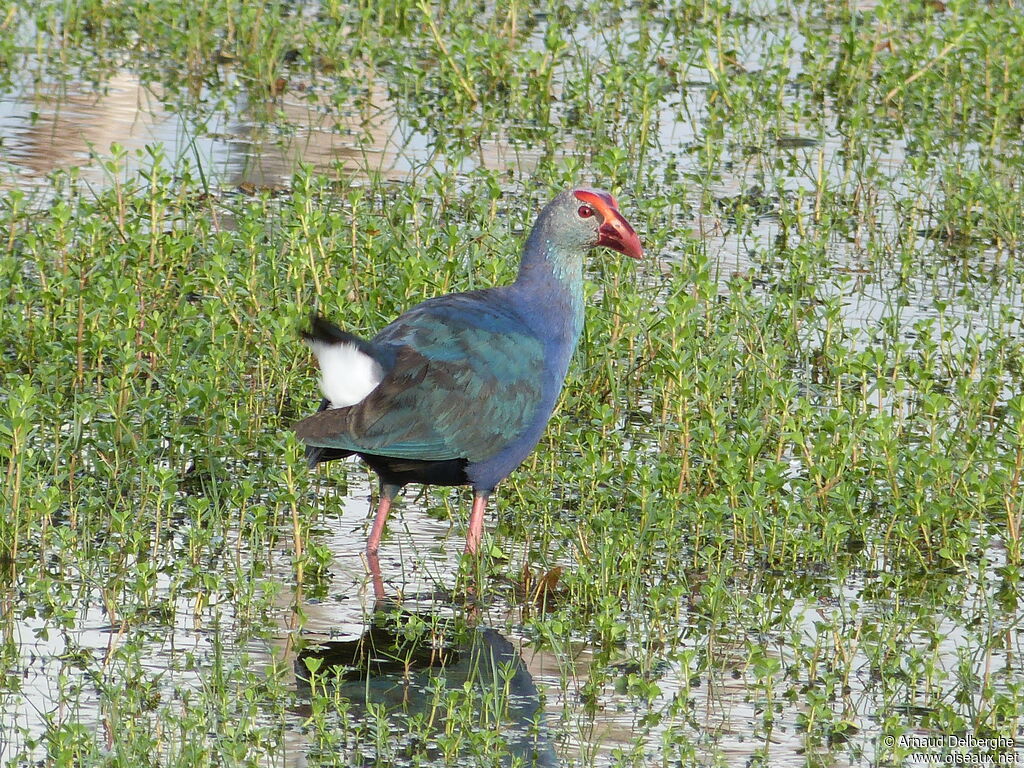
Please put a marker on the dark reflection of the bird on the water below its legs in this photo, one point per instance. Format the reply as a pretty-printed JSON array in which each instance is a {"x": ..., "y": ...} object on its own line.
[{"x": 418, "y": 670}]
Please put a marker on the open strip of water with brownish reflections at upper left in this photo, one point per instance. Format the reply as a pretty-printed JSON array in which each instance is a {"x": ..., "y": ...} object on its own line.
[{"x": 78, "y": 125}]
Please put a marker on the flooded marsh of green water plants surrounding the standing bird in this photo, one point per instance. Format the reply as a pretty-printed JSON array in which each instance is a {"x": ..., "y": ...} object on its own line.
[{"x": 777, "y": 519}]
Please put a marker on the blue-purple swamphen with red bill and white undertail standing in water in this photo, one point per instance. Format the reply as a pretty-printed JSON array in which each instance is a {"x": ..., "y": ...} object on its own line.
[{"x": 458, "y": 391}]
